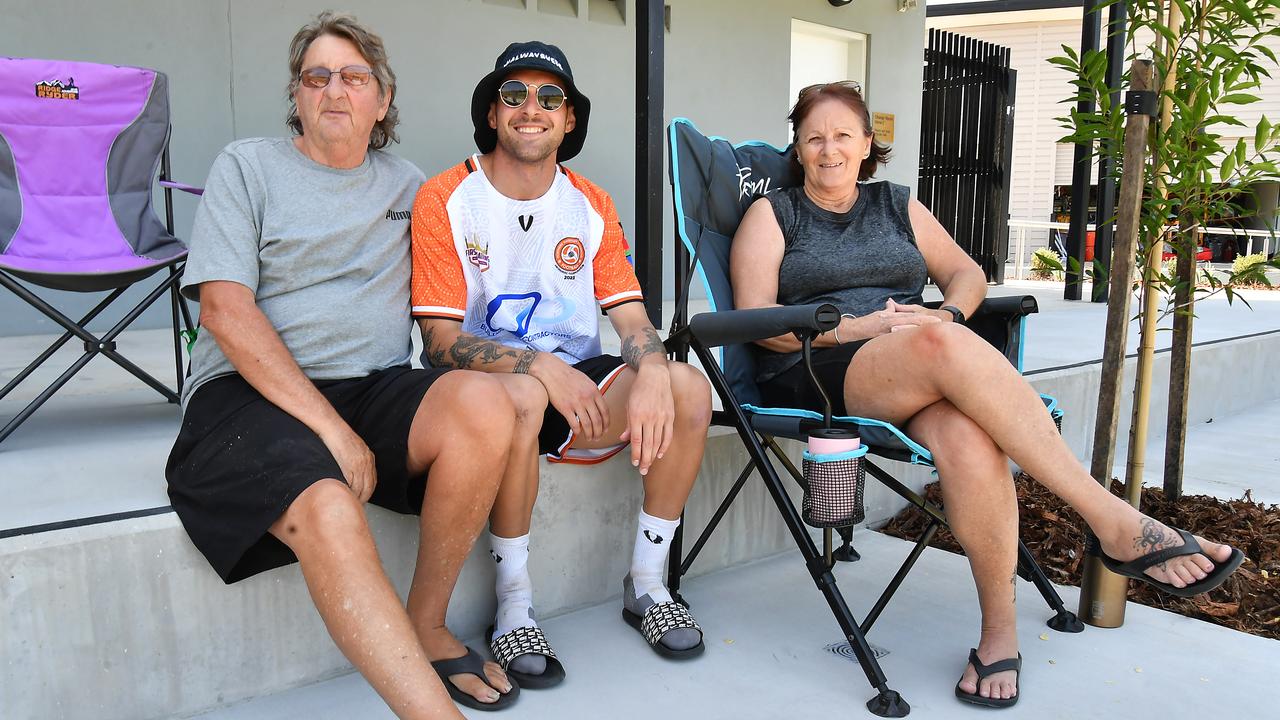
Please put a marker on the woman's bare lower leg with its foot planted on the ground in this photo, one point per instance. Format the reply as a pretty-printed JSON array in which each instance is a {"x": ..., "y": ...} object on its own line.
[{"x": 982, "y": 513}]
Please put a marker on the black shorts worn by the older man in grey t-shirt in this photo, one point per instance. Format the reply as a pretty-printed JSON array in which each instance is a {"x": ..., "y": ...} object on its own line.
[{"x": 240, "y": 462}]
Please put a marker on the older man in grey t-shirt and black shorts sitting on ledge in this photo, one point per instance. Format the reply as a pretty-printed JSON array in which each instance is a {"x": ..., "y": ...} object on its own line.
[{"x": 301, "y": 404}]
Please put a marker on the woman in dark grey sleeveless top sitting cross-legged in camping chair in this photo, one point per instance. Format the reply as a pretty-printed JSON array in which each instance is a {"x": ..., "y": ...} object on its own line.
[{"x": 867, "y": 248}]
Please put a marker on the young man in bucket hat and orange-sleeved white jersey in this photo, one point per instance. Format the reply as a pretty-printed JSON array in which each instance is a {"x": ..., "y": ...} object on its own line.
[{"x": 513, "y": 257}]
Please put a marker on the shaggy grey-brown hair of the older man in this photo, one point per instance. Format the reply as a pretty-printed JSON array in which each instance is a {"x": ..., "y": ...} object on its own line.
[{"x": 371, "y": 45}]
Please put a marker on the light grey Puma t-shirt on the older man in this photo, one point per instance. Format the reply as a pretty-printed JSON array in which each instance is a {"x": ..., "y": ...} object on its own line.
[{"x": 326, "y": 252}]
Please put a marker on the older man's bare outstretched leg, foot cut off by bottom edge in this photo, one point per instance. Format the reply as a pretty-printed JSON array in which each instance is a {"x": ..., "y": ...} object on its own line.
[{"x": 326, "y": 527}]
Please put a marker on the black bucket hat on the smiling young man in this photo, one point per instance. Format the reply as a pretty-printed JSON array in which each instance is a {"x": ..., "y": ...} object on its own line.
[{"x": 534, "y": 57}]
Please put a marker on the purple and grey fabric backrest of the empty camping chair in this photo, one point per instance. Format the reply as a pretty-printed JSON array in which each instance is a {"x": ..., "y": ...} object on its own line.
[{"x": 80, "y": 151}]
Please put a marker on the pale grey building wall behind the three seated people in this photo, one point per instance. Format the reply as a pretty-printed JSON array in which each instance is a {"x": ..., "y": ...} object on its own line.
[{"x": 728, "y": 69}]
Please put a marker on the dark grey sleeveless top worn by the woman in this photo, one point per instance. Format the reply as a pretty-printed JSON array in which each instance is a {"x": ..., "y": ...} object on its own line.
[{"x": 856, "y": 261}]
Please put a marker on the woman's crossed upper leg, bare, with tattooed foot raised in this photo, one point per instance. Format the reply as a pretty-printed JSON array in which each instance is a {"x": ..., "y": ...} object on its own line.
[{"x": 897, "y": 376}]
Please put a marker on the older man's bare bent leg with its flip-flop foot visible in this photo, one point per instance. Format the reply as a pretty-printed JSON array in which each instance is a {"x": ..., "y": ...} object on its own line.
[{"x": 467, "y": 453}]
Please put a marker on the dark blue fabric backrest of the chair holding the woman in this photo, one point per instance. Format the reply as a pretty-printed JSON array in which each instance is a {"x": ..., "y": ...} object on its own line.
[{"x": 714, "y": 184}]
